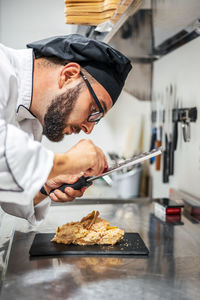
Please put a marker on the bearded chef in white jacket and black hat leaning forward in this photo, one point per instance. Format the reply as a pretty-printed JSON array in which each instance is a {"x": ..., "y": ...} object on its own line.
[{"x": 56, "y": 87}]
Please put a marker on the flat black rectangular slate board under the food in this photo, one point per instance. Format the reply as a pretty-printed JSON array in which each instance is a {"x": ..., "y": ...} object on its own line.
[{"x": 131, "y": 244}]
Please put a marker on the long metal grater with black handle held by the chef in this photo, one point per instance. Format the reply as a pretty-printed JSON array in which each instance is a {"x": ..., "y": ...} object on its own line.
[{"x": 86, "y": 181}]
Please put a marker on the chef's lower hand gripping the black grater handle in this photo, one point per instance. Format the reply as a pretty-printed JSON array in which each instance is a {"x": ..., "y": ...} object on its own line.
[{"x": 69, "y": 194}]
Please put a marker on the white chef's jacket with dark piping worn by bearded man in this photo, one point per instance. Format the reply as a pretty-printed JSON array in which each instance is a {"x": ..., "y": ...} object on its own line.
[{"x": 24, "y": 163}]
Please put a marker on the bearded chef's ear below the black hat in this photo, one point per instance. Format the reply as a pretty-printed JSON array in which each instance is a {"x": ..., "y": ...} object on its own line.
[{"x": 68, "y": 73}]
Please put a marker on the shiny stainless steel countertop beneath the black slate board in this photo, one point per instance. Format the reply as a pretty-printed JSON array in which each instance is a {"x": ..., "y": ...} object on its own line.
[{"x": 172, "y": 270}]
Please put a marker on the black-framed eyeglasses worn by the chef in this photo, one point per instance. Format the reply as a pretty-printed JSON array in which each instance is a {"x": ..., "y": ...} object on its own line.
[{"x": 95, "y": 116}]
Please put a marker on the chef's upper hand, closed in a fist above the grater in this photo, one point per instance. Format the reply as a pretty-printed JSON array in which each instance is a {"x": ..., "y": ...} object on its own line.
[{"x": 83, "y": 157}]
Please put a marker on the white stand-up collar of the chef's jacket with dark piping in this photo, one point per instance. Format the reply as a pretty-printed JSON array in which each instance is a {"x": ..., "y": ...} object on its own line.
[{"x": 25, "y": 69}]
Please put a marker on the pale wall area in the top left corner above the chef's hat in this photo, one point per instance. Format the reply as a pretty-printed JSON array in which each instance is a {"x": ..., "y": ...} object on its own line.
[{"x": 23, "y": 21}]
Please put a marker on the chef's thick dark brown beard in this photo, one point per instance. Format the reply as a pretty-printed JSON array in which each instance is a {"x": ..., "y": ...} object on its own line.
[{"x": 58, "y": 112}]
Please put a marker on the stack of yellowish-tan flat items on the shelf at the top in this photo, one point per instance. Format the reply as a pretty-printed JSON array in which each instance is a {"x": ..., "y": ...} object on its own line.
[{"x": 89, "y": 12}]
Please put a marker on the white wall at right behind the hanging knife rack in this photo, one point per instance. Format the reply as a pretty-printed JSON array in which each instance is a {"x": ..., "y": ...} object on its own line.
[{"x": 182, "y": 68}]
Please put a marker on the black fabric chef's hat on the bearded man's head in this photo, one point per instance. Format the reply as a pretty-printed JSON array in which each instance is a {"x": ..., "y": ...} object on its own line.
[{"x": 106, "y": 64}]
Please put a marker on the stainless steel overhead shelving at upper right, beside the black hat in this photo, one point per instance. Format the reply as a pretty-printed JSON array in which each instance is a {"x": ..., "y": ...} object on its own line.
[{"x": 147, "y": 31}]
